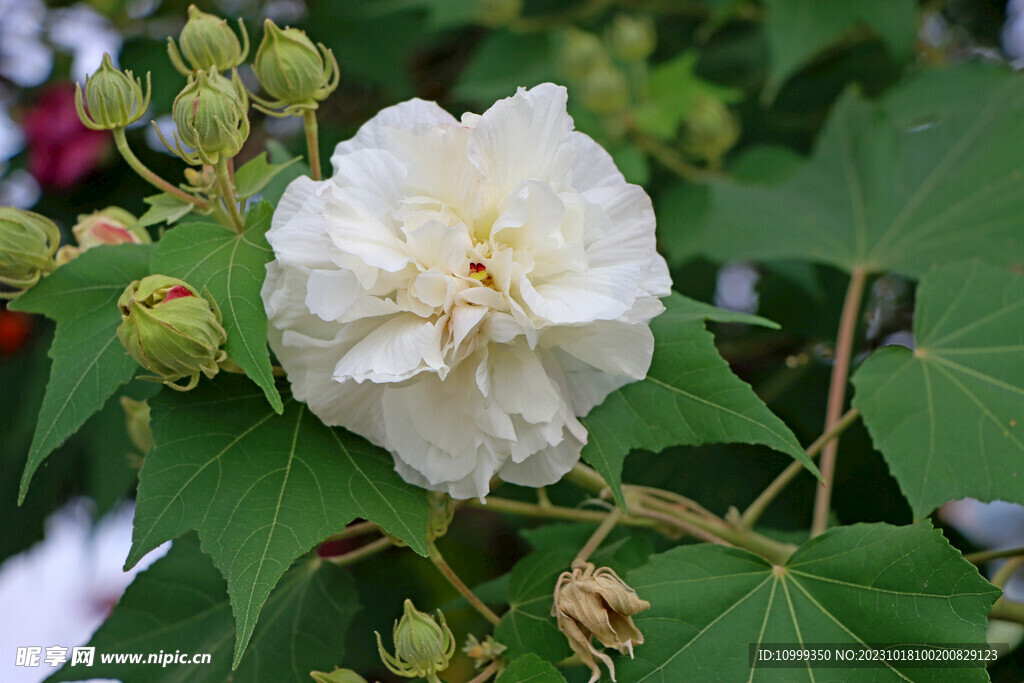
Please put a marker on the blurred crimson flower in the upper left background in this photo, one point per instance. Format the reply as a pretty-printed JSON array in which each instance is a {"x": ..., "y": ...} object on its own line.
[{"x": 62, "y": 151}]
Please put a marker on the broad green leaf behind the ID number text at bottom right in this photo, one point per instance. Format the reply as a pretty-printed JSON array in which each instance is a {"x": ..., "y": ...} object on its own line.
[{"x": 861, "y": 584}]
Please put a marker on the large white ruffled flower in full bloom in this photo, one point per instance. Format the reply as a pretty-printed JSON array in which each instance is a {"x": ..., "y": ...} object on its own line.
[{"x": 460, "y": 292}]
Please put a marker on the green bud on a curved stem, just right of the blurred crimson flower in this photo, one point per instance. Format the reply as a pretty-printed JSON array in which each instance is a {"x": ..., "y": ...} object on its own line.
[{"x": 115, "y": 99}]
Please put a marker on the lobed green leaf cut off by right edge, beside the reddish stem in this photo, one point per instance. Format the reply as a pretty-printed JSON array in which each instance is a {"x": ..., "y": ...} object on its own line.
[{"x": 949, "y": 417}]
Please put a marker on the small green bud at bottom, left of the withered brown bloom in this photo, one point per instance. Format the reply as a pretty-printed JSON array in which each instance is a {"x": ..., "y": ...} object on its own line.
[{"x": 422, "y": 648}]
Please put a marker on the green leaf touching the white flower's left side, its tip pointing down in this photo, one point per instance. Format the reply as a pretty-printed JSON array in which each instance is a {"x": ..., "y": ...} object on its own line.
[{"x": 231, "y": 268}]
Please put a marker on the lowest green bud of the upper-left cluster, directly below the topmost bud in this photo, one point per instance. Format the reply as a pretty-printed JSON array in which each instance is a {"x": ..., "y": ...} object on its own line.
[{"x": 212, "y": 117}]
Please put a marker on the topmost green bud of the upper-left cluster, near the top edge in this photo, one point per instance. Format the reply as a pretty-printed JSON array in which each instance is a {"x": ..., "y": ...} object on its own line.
[{"x": 207, "y": 42}]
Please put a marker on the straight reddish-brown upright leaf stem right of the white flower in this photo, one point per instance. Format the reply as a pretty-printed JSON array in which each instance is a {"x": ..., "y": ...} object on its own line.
[{"x": 837, "y": 396}]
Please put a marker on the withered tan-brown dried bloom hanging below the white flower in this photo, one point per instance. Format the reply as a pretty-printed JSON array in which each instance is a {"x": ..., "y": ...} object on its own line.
[{"x": 590, "y": 605}]
